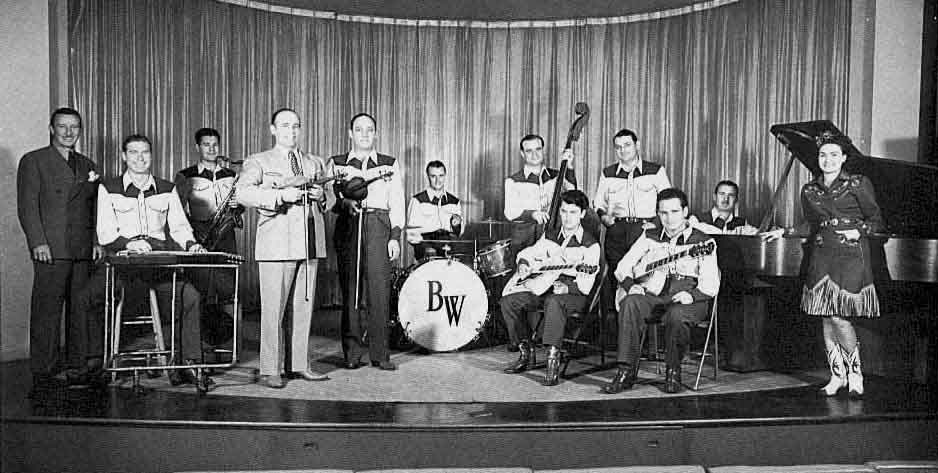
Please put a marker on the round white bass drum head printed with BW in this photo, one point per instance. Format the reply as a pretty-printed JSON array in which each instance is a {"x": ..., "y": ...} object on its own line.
[{"x": 442, "y": 305}]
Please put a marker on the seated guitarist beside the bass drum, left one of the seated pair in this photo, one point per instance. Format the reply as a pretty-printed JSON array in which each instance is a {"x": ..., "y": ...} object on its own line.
[{"x": 557, "y": 292}]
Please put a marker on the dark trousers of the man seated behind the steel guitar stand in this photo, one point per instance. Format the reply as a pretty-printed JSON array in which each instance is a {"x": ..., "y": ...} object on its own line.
[{"x": 135, "y": 283}]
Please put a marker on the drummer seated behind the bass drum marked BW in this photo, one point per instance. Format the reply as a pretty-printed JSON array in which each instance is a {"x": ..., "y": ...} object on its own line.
[{"x": 433, "y": 214}]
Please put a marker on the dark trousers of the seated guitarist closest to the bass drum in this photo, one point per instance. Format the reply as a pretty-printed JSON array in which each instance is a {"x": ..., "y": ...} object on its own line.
[{"x": 517, "y": 310}]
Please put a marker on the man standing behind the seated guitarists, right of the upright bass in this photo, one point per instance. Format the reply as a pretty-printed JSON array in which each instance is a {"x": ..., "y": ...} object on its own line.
[{"x": 625, "y": 196}]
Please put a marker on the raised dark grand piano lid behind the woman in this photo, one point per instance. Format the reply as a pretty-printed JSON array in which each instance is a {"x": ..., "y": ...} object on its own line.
[{"x": 906, "y": 192}]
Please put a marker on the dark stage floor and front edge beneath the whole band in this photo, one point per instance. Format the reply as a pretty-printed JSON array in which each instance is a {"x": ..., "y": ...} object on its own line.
[{"x": 368, "y": 418}]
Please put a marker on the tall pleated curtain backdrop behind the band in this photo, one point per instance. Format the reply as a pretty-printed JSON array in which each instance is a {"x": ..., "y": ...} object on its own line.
[{"x": 700, "y": 88}]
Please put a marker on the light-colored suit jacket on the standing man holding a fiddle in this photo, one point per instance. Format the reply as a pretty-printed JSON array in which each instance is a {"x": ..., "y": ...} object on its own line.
[{"x": 280, "y": 226}]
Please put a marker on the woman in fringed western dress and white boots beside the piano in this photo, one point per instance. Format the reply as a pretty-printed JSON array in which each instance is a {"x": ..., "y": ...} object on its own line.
[{"x": 841, "y": 211}]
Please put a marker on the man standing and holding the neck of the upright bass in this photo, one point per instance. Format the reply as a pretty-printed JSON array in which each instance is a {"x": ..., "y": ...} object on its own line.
[{"x": 528, "y": 192}]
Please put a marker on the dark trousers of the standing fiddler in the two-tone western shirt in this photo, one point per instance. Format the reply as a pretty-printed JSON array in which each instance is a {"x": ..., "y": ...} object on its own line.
[{"x": 374, "y": 284}]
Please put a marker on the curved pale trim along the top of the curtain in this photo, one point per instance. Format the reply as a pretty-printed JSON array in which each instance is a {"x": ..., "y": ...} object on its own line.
[{"x": 331, "y": 15}]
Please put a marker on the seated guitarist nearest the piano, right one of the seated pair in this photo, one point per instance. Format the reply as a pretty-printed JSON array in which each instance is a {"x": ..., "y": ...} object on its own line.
[{"x": 683, "y": 289}]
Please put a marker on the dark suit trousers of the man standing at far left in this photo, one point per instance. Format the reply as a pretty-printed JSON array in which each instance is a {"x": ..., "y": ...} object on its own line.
[{"x": 54, "y": 285}]
